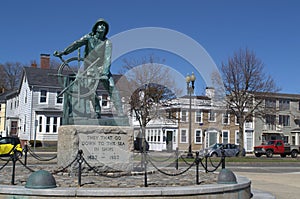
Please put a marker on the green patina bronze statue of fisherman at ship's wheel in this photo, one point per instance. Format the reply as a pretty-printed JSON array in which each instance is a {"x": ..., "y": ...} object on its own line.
[{"x": 80, "y": 98}]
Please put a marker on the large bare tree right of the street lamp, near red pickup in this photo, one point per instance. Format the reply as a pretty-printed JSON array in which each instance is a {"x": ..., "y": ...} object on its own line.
[{"x": 246, "y": 86}]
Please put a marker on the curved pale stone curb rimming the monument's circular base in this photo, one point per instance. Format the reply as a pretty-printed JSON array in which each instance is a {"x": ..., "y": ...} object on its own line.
[{"x": 243, "y": 184}]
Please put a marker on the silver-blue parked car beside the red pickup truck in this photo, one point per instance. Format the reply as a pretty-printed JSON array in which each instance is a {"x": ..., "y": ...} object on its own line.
[{"x": 230, "y": 150}]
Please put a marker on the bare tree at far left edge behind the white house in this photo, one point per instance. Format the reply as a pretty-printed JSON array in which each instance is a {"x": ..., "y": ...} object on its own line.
[{"x": 11, "y": 73}]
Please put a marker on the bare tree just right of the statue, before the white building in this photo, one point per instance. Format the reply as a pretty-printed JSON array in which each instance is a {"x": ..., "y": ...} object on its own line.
[{"x": 151, "y": 85}]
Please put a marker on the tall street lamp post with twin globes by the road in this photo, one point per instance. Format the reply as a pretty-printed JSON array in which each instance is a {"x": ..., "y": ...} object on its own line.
[{"x": 190, "y": 90}]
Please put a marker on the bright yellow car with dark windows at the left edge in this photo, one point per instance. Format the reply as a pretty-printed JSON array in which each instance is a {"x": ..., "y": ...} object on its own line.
[{"x": 8, "y": 145}]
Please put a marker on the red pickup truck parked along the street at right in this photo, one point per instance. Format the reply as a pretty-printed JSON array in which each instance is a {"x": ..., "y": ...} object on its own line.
[{"x": 276, "y": 147}]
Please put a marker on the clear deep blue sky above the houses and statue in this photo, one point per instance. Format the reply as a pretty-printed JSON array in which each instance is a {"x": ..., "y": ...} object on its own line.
[{"x": 271, "y": 28}]
